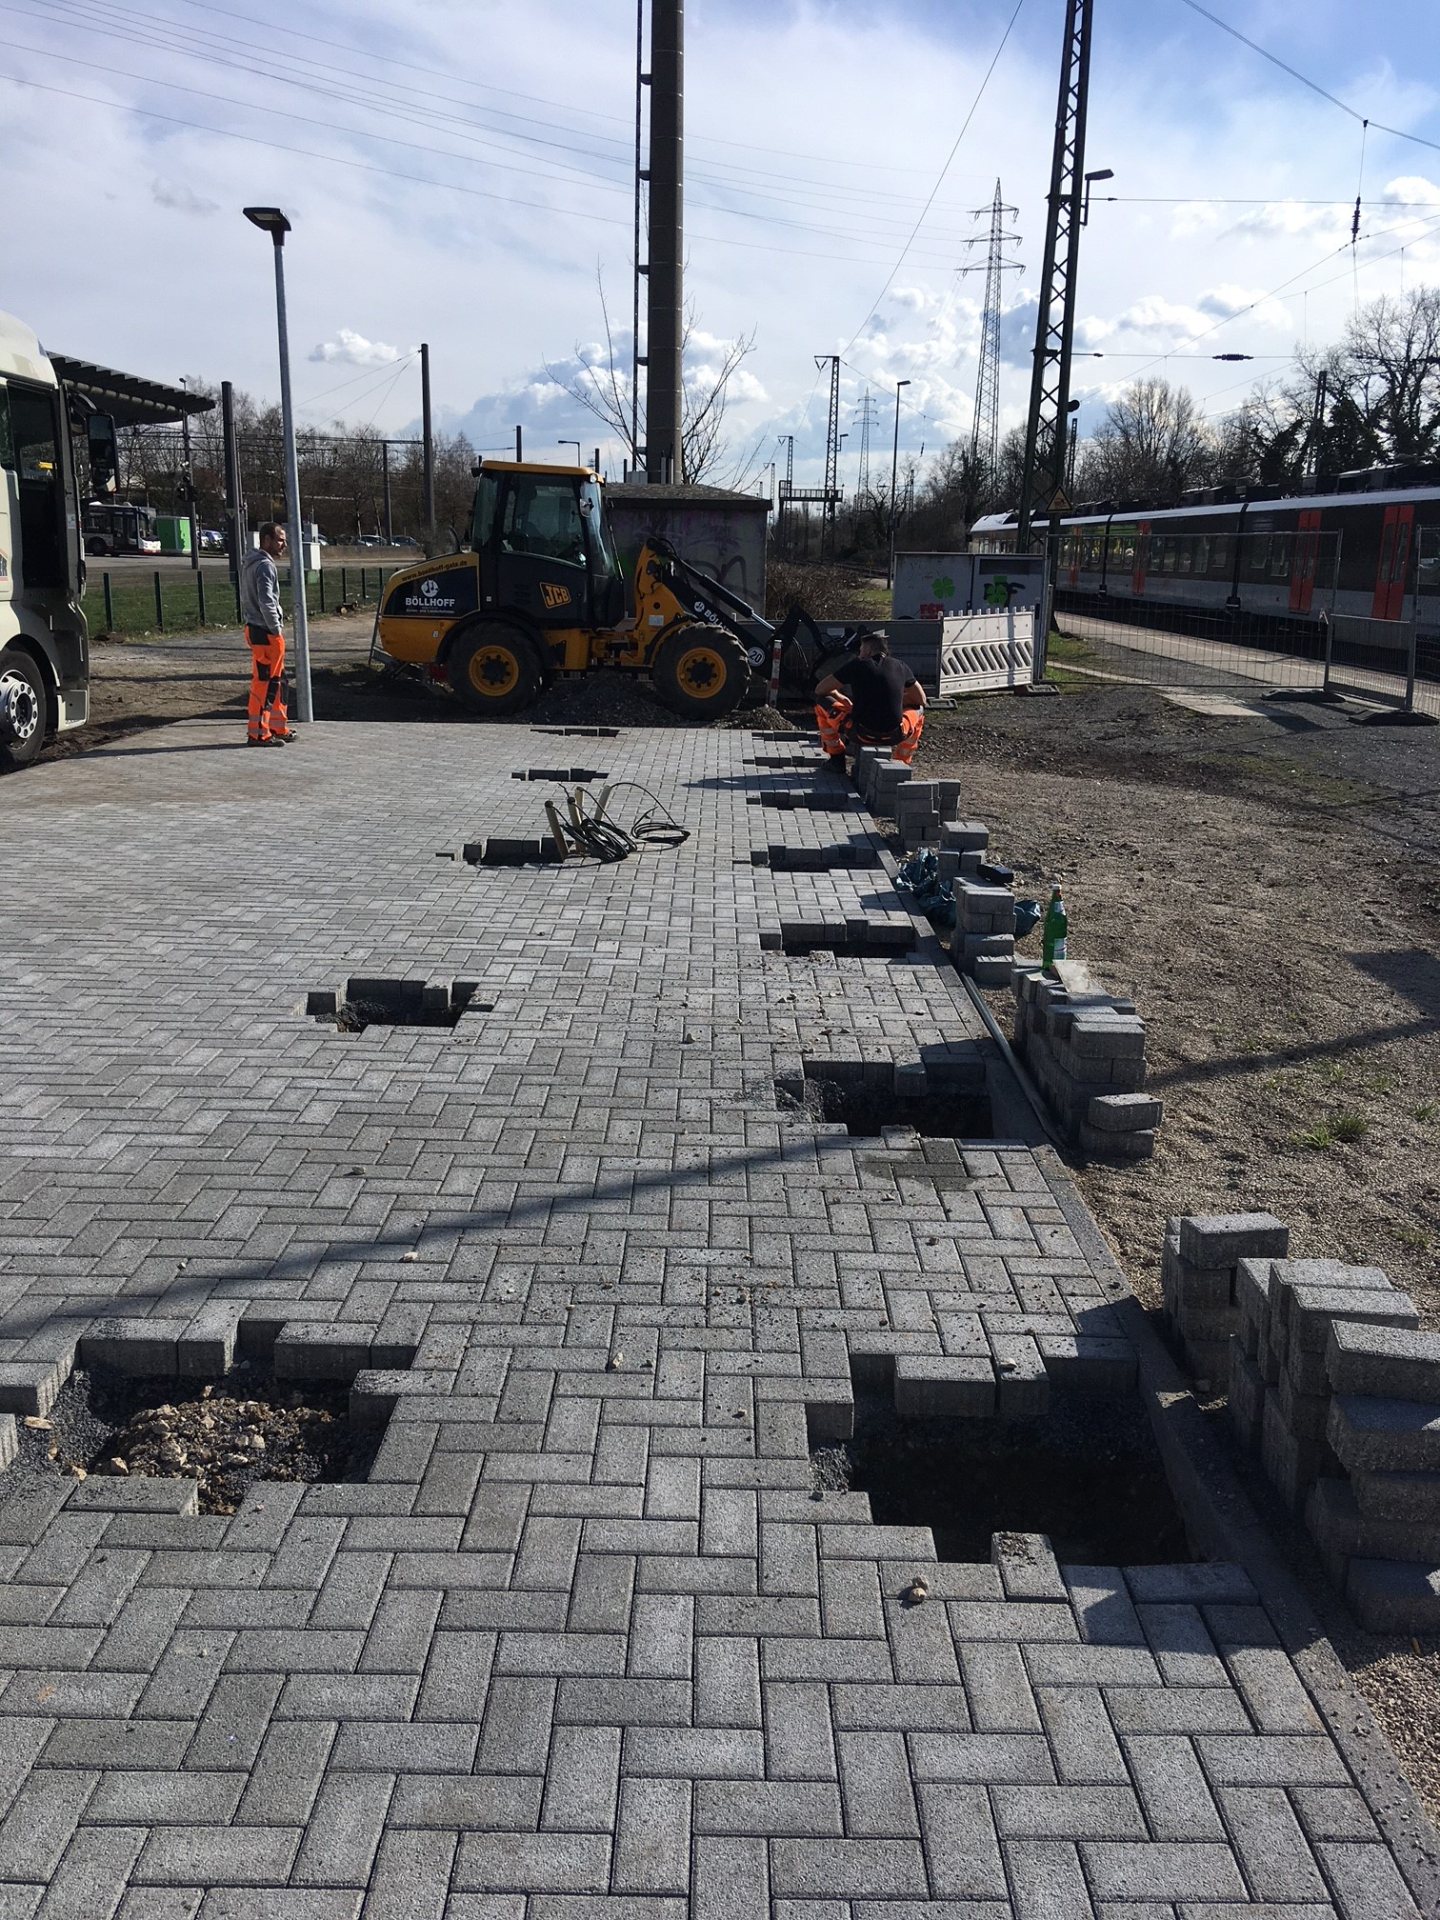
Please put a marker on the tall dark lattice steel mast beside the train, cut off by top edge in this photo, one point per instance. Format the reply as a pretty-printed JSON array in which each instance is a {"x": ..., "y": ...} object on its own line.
[{"x": 1055, "y": 329}]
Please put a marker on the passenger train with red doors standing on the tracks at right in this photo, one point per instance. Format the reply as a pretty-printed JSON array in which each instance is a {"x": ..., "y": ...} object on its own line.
[{"x": 1362, "y": 544}]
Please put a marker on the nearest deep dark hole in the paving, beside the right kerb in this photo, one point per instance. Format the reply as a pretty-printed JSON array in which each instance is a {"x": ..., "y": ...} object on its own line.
[{"x": 1088, "y": 1476}]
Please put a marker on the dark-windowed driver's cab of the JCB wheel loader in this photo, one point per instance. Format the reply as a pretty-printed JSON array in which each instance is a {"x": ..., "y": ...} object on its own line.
[{"x": 544, "y": 544}]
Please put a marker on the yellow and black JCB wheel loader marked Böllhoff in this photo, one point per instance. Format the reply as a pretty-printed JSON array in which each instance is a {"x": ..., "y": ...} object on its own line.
[{"x": 539, "y": 592}]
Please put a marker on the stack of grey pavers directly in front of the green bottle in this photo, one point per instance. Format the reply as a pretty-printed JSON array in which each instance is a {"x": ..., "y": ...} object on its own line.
[{"x": 1086, "y": 1053}]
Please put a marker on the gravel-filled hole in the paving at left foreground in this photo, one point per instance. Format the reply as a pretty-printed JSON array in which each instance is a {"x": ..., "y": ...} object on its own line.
[{"x": 226, "y": 1435}]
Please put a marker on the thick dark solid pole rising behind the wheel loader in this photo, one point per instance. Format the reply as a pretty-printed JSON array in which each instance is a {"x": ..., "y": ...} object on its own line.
[{"x": 665, "y": 324}]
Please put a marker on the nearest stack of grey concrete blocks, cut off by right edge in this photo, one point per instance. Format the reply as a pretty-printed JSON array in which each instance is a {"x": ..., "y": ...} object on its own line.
[{"x": 1341, "y": 1395}]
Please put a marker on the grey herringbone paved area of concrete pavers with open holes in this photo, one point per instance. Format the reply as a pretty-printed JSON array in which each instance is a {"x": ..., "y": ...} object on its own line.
[{"x": 588, "y": 1639}]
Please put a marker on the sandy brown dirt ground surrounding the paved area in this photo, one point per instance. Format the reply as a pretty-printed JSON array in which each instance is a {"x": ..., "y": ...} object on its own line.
[{"x": 1268, "y": 890}]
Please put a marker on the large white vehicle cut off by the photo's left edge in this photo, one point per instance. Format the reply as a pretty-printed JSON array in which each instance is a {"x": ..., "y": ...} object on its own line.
[{"x": 45, "y": 658}]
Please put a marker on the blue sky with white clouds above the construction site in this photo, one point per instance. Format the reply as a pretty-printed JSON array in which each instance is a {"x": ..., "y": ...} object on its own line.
[{"x": 458, "y": 172}]
